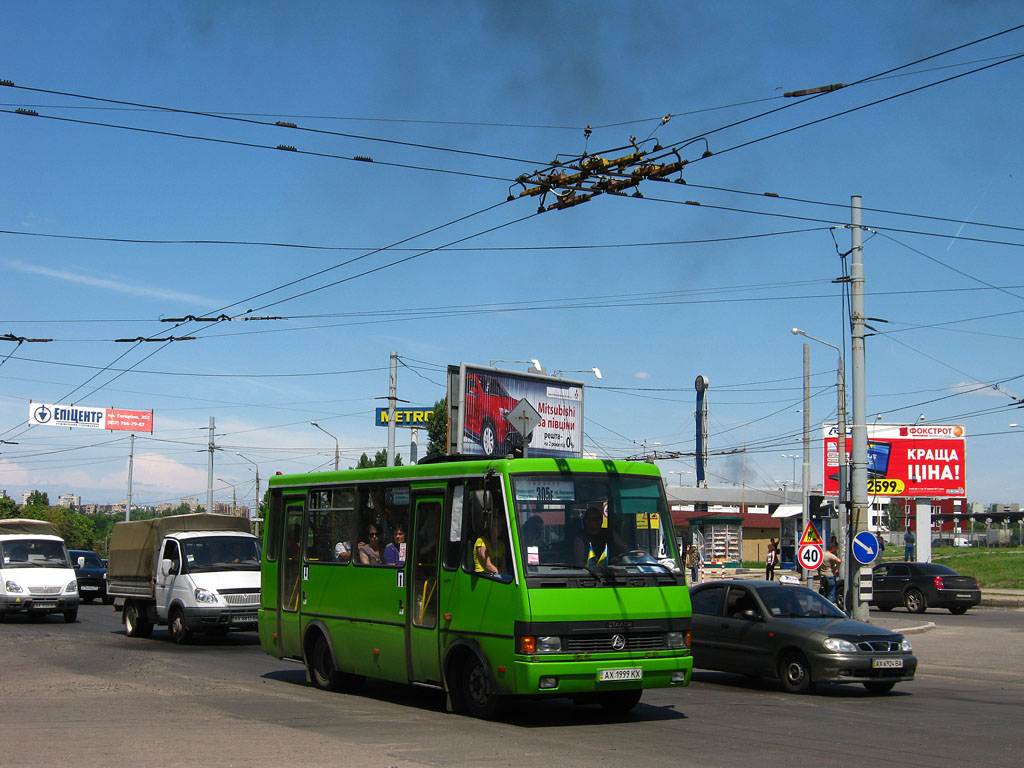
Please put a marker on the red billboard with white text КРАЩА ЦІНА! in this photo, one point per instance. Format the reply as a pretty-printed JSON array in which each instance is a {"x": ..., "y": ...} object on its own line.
[{"x": 925, "y": 461}]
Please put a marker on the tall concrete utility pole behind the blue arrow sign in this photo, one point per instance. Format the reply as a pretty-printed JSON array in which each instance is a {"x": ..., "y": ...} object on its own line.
[{"x": 860, "y": 442}]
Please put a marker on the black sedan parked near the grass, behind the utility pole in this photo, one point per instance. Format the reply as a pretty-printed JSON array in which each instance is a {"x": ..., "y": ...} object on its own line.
[{"x": 920, "y": 586}]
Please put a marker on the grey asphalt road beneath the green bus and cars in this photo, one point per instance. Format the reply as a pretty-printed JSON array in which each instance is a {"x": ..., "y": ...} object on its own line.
[{"x": 88, "y": 696}]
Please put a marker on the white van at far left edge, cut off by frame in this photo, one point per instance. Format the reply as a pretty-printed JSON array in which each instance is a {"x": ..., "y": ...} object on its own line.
[{"x": 36, "y": 577}]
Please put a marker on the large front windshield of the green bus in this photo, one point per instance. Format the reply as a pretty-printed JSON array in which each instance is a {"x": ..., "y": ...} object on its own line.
[{"x": 593, "y": 523}]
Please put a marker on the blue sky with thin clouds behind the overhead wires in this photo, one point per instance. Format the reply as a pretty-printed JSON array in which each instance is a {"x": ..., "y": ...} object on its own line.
[{"x": 150, "y": 186}]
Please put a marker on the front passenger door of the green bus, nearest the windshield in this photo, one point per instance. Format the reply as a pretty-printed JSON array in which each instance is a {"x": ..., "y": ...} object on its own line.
[{"x": 424, "y": 649}]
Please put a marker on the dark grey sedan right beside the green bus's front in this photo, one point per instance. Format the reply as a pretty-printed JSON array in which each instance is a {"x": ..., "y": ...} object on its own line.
[{"x": 770, "y": 629}]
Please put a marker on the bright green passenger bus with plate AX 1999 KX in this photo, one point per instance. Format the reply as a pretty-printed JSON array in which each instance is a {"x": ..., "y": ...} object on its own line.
[{"x": 487, "y": 579}]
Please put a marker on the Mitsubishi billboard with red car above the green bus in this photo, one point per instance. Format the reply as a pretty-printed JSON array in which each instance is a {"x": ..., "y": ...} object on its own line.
[{"x": 484, "y": 398}]
